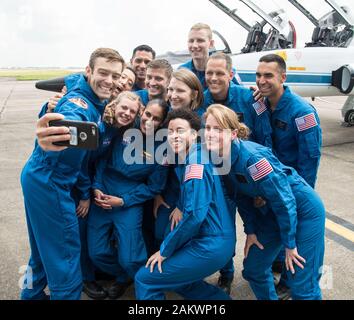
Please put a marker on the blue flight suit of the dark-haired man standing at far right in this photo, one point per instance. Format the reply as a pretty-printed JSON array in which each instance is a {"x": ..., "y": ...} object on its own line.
[{"x": 297, "y": 140}]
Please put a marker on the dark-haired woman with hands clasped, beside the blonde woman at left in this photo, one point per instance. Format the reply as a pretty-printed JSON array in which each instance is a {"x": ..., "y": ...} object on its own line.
[{"x": 123, "y": 188}]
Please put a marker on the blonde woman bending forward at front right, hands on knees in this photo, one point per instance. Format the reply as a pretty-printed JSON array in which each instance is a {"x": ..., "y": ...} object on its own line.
[{"x": 292, "y": 215}]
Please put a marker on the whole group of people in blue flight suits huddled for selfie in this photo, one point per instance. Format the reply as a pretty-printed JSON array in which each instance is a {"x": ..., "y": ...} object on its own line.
[{"x": 271, "y": 147}]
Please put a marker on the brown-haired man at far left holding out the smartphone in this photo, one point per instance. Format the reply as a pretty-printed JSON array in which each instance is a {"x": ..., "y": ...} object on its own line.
[{"x": 48, "y": 178}]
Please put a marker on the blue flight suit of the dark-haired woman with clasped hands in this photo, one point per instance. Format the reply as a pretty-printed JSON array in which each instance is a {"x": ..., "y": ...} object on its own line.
[{"x": 135, "y": 184}]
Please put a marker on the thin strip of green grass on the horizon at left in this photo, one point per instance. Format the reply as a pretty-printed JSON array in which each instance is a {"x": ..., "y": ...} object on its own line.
[{"x": 35, "y": 74}]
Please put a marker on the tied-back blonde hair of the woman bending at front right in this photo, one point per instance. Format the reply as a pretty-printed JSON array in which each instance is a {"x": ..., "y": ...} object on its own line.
[{"x": 227, "y": 119}]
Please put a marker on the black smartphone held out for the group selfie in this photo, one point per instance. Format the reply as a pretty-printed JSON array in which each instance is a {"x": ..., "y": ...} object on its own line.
[{"x": 84, "y": 135}]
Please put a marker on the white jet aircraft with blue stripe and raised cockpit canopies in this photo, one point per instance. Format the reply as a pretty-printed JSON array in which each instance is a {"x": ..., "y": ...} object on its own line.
[{"x": 324, "y": 67}]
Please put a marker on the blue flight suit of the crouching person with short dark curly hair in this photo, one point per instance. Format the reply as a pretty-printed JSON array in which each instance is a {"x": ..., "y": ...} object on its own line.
[{"x": 200, "y": 244}]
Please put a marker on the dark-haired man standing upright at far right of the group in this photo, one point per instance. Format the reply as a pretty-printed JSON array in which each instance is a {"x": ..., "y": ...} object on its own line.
[{"x": 297, "y": 135}]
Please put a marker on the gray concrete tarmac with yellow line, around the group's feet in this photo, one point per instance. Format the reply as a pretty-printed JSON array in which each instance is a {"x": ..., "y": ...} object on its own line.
[{"x": 20, "y": 103}]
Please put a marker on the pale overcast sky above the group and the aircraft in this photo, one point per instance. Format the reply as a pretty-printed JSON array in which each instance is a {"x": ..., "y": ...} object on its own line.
[{"x": 63, "y": 33}]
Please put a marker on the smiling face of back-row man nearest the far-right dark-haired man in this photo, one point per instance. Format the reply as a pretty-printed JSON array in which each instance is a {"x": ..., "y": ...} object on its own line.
[{"x": 218, "y": 78}]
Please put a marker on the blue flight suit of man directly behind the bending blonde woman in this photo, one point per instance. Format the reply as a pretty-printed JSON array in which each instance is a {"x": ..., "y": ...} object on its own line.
[{"x": 240, "y": 100}]
